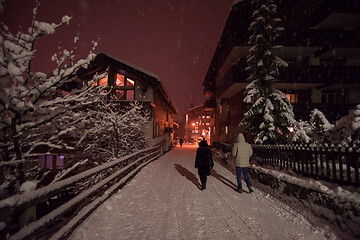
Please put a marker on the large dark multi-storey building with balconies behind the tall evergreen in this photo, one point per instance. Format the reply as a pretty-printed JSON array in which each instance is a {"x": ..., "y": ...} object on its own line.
[{"x": 320, "y": 43}]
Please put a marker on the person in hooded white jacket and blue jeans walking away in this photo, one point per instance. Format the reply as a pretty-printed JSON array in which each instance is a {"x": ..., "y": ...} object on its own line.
[{"x": 242, "y": 151}]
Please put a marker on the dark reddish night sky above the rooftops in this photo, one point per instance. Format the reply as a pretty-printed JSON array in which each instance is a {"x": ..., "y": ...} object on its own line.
[{"x": 174, "y": 39}]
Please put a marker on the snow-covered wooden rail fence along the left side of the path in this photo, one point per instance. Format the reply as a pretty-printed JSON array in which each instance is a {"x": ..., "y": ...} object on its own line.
[{"x": 109, "y": 178}]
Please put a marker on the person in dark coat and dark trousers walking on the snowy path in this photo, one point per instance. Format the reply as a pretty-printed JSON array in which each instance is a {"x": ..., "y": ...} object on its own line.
[{"x": 203, "y": 162}]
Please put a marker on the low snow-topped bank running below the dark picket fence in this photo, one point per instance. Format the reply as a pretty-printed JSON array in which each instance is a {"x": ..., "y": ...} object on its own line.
[{"x": 337, "y": 206}]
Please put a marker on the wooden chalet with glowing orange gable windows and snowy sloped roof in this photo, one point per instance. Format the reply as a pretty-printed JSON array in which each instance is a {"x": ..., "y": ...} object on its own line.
[{"x": 128, "y": 82}]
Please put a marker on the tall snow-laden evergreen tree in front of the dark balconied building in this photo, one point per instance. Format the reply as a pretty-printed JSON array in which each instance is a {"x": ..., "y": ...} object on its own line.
[{"x": 270, "y": 113}]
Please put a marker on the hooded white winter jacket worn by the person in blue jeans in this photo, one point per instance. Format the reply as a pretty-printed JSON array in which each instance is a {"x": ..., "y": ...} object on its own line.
[{"x": 242, "y": 151}]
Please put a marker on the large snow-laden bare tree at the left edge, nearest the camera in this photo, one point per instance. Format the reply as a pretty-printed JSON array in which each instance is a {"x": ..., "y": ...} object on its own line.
[{"x": 31, "y": 101}]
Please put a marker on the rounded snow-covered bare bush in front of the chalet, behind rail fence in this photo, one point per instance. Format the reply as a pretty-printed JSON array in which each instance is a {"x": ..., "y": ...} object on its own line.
[{"x": 112, "y": 130}]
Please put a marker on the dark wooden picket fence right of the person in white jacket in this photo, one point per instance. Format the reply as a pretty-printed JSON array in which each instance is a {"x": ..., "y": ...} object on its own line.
[{"x": 339, "y": 165}]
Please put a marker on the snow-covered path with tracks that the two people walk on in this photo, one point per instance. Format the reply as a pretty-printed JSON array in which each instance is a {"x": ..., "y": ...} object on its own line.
[{"x": 164, "y": 201}]
